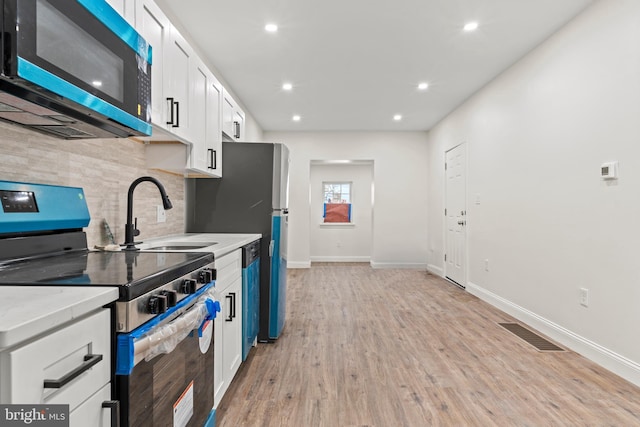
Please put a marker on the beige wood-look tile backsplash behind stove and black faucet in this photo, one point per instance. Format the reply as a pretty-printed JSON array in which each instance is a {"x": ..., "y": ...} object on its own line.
[{"x": 104, "y": 168}]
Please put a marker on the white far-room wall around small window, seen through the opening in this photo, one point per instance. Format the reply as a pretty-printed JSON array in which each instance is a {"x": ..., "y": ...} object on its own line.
[{"x": 341, "y": 242}]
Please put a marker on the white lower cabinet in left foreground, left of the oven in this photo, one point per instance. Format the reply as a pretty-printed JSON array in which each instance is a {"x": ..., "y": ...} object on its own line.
[{"x": 69, "y": 366}]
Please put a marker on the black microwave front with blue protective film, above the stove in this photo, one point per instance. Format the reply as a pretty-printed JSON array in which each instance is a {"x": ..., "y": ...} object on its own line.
[{"x": 106, "y": 70}]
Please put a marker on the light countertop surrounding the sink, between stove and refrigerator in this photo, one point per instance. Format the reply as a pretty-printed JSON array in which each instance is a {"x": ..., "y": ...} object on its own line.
[{"x": 223, "y": 242}]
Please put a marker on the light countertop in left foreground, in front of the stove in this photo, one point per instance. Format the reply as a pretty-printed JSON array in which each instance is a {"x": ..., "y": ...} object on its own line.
[{"x": 28, "y": 311}]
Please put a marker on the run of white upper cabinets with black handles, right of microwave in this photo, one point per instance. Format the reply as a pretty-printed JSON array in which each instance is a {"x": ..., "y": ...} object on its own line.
[{"x": 187, "y": 112}]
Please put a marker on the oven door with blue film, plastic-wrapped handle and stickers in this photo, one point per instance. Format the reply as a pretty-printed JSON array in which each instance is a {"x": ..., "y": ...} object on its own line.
[{"x": 170, "y": 379}]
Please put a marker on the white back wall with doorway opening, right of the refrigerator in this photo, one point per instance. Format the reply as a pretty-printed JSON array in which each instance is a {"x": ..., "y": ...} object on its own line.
[{"x": 400, "y": 180}]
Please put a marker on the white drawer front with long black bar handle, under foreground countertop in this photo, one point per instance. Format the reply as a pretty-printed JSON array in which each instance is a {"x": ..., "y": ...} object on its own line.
[{"x": 55, "y": 356}]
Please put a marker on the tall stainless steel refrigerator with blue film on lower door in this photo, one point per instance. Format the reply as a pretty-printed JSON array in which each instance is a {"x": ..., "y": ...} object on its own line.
[{"x": 251, "y": 197}]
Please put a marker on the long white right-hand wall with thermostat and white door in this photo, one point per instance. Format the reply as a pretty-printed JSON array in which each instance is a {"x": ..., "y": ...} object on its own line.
[{"x": 549, "y": 225}]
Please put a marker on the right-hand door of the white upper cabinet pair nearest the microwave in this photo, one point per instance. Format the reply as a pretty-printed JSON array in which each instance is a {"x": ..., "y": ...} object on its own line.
[{"x": 177, "y": 89}]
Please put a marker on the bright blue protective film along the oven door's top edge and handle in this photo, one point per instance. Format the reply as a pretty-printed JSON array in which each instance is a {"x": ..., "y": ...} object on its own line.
[{"x": 125, "y": 357}]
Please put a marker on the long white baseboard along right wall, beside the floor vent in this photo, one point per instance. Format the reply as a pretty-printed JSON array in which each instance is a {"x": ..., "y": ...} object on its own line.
[{"x": 620, "y": 365}]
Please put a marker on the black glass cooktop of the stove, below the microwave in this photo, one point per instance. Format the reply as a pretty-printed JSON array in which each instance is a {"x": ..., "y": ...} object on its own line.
[{"x": 134, "y": 272}]
